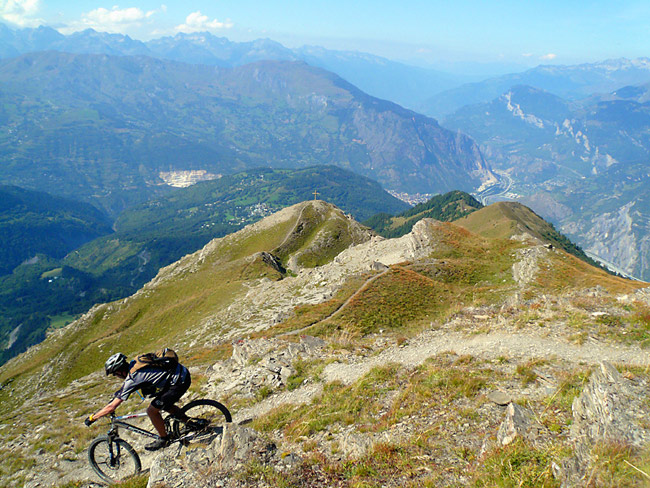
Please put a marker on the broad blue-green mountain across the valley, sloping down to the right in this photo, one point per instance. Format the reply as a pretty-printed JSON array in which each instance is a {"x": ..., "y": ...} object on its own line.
[{"x": 105, "y": 127}]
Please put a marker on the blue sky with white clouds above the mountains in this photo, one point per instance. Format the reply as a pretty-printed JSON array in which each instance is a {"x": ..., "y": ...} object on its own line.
[{"x": 522, "y": 32}]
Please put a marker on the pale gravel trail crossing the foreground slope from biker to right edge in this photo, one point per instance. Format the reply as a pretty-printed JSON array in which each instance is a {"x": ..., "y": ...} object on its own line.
[{"x": 521, "y": 346}]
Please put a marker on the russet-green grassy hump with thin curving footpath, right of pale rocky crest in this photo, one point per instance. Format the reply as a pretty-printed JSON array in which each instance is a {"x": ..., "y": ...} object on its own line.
[{"x": 466, "y": 269}]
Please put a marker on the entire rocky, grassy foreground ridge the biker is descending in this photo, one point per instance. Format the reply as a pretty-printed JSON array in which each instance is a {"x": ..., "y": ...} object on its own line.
[{"x": 474, "y": 353}]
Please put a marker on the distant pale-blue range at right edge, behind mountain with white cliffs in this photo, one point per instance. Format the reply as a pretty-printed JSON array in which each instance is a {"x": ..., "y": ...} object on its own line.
[{"x": 570, "y": 82}]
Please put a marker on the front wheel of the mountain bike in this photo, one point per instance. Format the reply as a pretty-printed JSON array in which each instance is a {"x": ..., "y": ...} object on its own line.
[{"x": 113, "y": 460}]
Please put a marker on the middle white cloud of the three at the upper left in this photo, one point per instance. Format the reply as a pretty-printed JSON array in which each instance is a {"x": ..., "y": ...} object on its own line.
[{"x": 113, "y": 20}]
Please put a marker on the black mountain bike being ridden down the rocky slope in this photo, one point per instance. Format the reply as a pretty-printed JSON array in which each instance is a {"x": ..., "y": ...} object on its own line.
[{"x": 114, "y": 459}]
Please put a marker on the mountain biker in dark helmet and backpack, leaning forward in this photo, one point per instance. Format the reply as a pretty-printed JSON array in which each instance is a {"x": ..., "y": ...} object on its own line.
[{"x": 167, "y": 386}]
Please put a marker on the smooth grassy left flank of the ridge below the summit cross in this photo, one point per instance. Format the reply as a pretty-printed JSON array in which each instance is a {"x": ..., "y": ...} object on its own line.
[{"x": 184, "y": 294}]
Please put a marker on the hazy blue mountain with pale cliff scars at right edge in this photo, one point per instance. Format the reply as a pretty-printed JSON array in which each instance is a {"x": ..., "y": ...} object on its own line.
[{"x": 581, "y": 164}]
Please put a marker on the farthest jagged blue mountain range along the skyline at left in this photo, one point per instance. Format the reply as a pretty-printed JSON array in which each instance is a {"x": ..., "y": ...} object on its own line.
[{"x": 380, "y": 77}]
